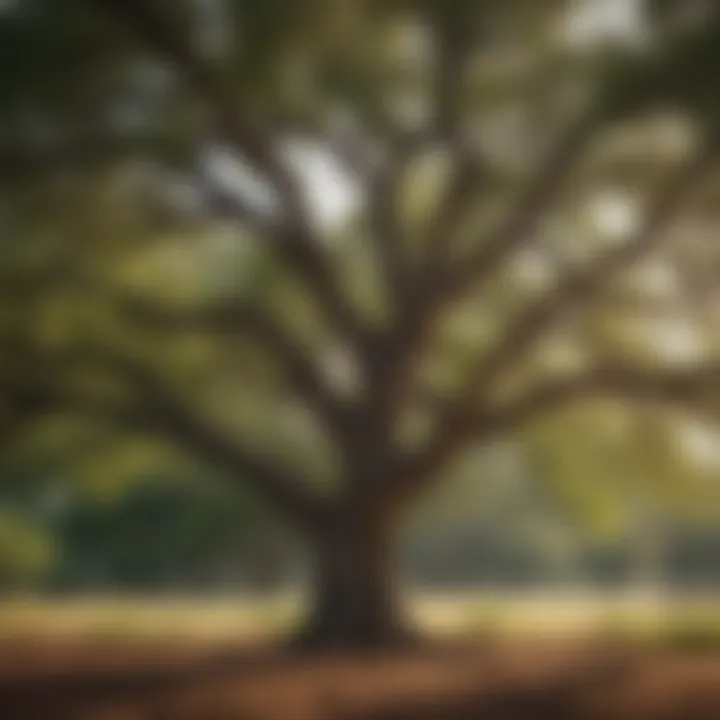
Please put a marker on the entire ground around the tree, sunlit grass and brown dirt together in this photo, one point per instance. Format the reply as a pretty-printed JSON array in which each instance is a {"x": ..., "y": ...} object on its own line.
[{"x": 488, "y": 657}]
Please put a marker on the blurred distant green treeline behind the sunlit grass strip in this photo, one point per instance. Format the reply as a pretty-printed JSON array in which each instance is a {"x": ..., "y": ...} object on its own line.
[{"x": 189, "y": 537}]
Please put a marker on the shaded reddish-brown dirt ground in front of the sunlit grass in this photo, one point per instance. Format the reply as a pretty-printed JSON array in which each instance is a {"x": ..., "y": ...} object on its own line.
[{"x": 114, "y": 680}]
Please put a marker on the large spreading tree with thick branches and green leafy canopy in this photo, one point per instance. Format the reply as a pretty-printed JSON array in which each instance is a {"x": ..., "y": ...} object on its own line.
[{"x": 477, "y": 134}]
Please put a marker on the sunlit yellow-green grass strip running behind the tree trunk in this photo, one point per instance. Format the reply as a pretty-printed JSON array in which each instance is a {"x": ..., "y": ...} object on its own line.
[{"x": 682, "y": 623}]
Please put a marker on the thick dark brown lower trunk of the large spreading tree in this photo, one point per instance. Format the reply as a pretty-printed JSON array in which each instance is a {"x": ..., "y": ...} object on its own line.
[{"x": 355, "y": 602}]
